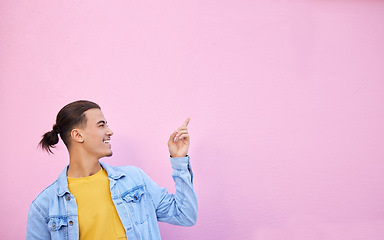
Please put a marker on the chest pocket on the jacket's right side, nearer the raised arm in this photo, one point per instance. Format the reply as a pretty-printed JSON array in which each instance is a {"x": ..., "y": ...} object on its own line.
[{"x": 138, "y": 204}]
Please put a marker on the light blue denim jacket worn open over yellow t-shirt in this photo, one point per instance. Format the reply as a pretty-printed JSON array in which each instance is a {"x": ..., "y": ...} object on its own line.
[{"x": 139, "y": 201}]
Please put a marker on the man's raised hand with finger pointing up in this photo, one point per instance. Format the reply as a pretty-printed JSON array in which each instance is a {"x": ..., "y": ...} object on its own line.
[{"x": 178, "y": 142}]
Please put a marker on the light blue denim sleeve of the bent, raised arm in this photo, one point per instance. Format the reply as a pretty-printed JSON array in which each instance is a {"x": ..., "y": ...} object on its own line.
[{"x": 179, "y": 208}]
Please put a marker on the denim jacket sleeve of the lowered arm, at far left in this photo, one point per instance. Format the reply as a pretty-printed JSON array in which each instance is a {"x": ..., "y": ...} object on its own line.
[{"x": 36, "y": 224}]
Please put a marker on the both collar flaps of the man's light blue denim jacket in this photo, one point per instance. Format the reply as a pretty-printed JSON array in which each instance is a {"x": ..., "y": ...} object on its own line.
[{"x": 113, "y": 173}]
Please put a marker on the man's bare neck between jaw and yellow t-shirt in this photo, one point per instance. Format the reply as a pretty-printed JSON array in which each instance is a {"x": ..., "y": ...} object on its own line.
[{"x": 81, "y": 165}]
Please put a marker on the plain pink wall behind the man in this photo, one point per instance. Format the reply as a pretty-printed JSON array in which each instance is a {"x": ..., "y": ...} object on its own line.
[{"x": 285, "y": 98}]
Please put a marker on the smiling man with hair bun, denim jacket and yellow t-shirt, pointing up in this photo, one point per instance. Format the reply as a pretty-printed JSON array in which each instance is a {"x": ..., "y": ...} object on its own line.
[{"x": 93, "y": 200}]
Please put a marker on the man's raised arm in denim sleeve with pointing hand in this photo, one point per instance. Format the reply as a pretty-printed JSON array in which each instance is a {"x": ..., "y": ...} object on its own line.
[{"x": 179, "y": 208}]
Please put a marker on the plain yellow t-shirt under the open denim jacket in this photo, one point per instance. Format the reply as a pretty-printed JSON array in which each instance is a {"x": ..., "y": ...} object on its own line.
[{"x": 97, "y": 215}]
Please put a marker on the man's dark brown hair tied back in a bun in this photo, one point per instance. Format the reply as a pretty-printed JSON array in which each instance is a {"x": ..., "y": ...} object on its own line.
[{"x": 69, "y": 116}]
